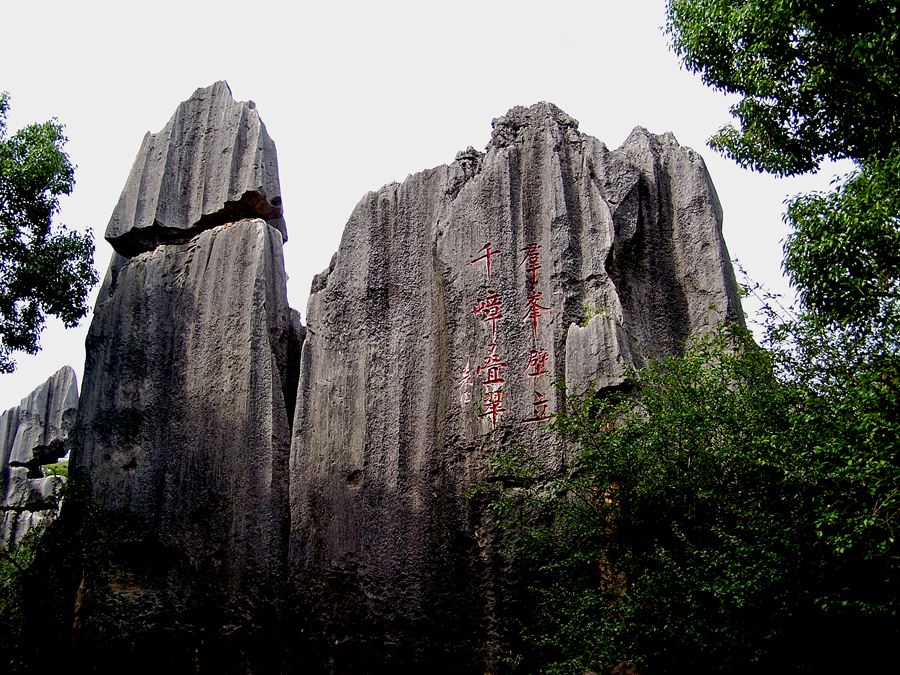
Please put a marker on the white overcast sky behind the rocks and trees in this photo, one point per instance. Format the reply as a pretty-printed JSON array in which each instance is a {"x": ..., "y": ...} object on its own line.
[{"x": 355, "y": 95}]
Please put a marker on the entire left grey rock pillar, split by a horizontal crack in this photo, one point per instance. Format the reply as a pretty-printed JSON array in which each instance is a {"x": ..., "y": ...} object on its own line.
[{"x": 190, "y": 380}]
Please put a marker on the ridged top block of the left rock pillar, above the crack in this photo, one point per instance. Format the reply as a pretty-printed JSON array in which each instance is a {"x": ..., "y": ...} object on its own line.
[{"x": 212, "y": 163}]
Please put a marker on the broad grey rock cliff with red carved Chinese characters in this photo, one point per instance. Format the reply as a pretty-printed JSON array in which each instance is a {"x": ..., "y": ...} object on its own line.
[{"x": 455, "y": 302}]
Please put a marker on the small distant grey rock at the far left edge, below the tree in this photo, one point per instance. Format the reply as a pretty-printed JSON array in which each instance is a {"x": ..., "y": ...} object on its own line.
[{"x": 33, "y": 434}]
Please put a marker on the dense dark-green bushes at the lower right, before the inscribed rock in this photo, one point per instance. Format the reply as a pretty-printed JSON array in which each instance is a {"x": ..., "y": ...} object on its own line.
[{"x": 719, "y": 516}]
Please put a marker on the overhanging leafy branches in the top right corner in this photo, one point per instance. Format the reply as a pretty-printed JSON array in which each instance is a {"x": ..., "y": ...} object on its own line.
[{"x": 817, "y": 78}]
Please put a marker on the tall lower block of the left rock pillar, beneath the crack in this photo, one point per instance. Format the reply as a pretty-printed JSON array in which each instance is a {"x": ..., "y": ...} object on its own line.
[{"x": 183, "y": 420}]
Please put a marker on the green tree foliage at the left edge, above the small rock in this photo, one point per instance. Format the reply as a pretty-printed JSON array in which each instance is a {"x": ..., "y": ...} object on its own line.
[{"x": 45, "y": 269}]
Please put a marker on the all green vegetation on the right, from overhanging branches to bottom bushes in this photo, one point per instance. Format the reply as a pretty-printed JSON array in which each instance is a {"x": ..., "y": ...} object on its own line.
[{"x": 734, "y": 508}]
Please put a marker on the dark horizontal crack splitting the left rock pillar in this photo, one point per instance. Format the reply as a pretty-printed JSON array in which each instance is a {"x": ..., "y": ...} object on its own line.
[{"x": 252, "y": 204}]
